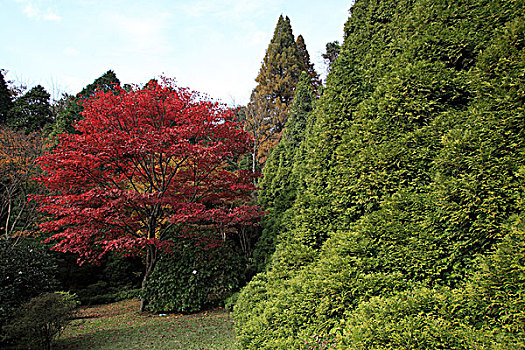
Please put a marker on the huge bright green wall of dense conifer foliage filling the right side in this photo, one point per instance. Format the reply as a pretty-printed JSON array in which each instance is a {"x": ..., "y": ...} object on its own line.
[{"x": 407, "y": 227}]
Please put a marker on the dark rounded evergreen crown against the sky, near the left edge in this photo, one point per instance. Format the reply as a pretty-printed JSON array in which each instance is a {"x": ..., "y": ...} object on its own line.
[{"x": 32, "y": 111}]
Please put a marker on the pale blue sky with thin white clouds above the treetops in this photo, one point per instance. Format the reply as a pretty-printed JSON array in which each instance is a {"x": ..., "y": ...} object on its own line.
[{"x": 215, "y": 47}]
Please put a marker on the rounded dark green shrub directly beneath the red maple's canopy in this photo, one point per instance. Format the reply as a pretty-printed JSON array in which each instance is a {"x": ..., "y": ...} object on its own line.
[{"x": 195, "y": 277}]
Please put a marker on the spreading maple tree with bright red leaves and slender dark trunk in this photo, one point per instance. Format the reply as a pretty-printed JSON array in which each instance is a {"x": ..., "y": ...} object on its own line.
[{"x": 143, "y": 163}]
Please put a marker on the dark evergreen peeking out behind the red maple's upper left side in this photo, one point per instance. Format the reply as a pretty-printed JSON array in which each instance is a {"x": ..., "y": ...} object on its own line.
[{"x": 71, "y": 114}]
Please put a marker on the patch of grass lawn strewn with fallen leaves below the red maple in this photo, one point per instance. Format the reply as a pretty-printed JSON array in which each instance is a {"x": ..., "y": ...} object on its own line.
[{"x": 122, "y": 326}]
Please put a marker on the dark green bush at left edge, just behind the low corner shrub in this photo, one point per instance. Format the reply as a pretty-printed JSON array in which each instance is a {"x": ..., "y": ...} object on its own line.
[{"x": 26, "y": 270}]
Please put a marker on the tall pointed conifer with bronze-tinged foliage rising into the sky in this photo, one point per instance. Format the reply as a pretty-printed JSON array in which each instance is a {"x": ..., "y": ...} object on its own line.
[{"x": 270, "y": 100}]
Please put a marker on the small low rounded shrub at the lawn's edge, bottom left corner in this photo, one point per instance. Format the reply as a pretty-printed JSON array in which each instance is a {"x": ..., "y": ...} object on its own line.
[{"x": 40, "y": 321}]
